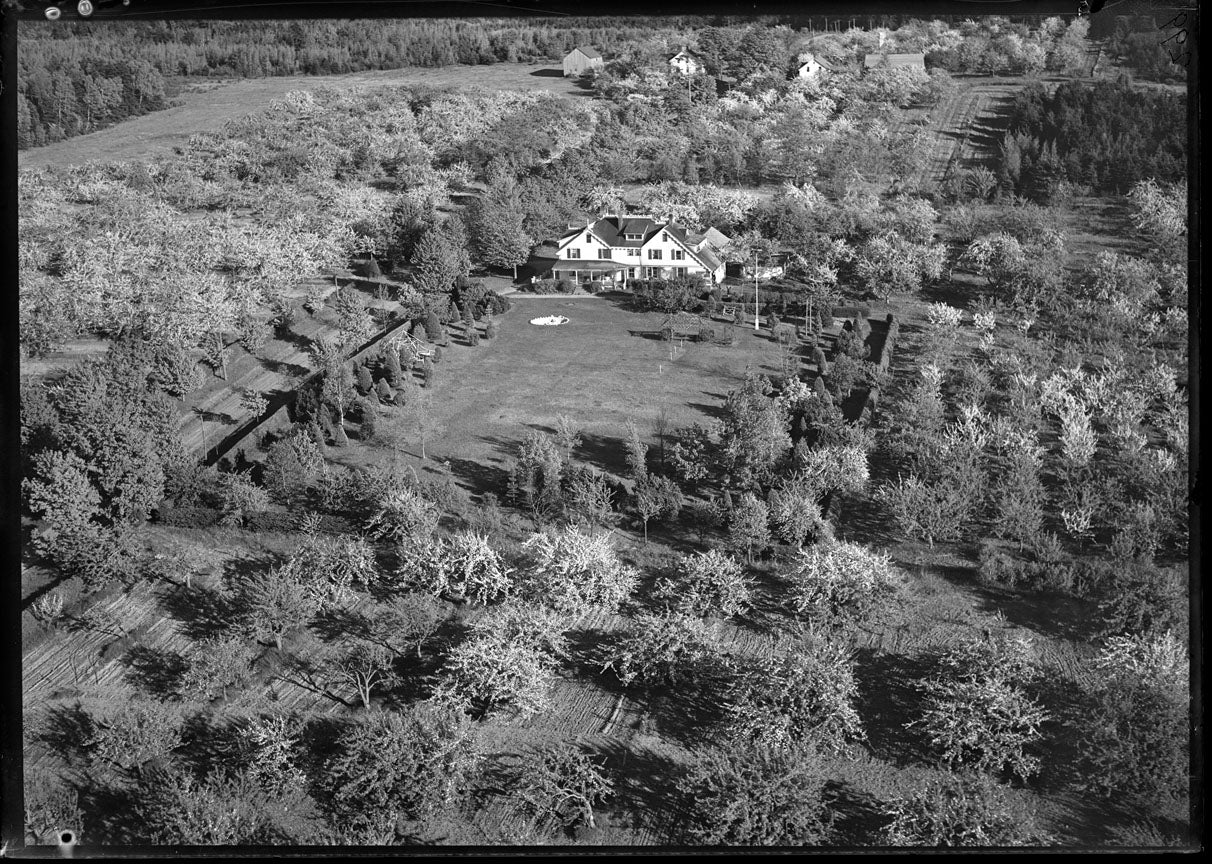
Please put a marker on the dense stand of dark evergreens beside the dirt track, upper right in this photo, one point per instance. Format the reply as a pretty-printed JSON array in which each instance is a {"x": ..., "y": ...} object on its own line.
[{"x": 1106, "y": 136}]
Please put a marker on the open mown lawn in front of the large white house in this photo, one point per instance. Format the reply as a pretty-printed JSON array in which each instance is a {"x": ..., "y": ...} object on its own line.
[{"x": 603, "y": 368}]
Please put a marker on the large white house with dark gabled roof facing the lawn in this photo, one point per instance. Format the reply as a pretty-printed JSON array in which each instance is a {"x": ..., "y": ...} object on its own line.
[{"x": 618, "y": 249}]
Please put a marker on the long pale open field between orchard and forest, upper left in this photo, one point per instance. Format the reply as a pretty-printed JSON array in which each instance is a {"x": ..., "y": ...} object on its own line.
[{"x": 211, "y": 104}]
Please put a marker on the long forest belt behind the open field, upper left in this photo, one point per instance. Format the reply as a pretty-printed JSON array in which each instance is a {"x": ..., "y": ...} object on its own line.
[{"x": 75, "y": 79}]
